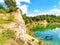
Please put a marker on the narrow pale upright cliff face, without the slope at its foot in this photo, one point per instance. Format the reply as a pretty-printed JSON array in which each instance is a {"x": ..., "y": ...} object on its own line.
[{"x": 21, "y": 24}]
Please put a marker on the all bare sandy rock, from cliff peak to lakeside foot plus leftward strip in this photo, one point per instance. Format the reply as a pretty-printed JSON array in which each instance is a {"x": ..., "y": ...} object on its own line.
[{"x": 18, "y": 26}]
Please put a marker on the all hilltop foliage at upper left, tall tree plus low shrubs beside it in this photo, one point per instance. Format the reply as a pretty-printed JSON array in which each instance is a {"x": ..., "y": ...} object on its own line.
[{"x": 11, "y": 6}]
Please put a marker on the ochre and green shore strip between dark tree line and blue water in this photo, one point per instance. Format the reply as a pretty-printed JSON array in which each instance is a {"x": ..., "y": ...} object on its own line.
[{"x": 33, "y": 27}]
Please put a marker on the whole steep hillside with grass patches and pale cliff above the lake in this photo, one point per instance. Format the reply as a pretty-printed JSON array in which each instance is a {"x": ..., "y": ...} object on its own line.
[{"x": 13, "y": 30}]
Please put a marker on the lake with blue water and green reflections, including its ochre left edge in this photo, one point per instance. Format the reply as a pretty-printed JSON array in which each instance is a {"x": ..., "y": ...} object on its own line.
[{"x": 50, "y": 30}]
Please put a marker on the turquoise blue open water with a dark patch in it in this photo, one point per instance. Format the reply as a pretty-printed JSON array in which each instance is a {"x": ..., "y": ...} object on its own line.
[{"x": 53, "y": 36}]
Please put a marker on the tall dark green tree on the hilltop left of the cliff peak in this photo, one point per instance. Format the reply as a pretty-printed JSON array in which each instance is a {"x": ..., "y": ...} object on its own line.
[{"x": 11, "y": 5}]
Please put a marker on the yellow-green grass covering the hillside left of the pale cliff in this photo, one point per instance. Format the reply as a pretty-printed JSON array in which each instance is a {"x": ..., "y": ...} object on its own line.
[{"x": 7, "y": 34}]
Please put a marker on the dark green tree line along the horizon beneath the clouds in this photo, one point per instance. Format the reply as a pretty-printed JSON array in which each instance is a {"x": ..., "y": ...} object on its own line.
[{"x": 48, "y": 18}]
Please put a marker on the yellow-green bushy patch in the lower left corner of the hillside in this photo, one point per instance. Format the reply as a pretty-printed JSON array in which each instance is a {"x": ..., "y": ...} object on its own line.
[{"x": 6, "y": 35}]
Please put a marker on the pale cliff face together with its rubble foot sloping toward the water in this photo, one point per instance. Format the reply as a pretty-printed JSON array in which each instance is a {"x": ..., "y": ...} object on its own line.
[{"x": 21, "y": 33}]
